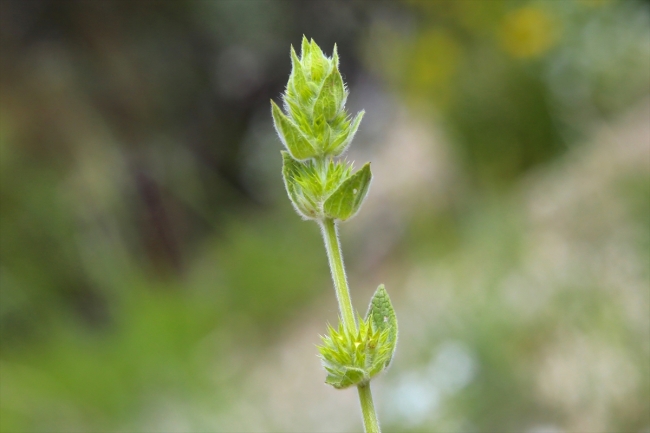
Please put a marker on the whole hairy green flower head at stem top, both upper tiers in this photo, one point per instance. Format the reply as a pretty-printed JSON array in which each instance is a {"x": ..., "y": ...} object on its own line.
[{"x": 316, "y": 128}]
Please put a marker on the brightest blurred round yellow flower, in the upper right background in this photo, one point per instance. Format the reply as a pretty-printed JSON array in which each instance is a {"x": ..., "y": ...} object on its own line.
[{"x": 528, "y": 32}]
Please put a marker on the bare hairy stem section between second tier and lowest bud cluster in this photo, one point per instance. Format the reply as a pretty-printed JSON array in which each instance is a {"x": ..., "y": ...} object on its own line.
[{"x": 335, "y": 257}]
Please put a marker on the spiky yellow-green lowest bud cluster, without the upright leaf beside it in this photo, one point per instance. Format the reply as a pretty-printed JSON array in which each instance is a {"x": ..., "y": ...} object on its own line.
[{"x": 353, "y": 357}]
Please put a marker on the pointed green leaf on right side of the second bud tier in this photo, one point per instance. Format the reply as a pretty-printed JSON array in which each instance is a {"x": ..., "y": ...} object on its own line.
[{"x": 345, "y": 202}]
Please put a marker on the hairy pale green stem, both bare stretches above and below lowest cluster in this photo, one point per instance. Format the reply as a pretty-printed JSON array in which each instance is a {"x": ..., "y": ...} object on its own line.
[{"x": 333, "y": 247}]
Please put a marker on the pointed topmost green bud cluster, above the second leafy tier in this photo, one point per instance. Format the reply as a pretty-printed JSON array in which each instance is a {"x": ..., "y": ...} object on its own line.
[{"x": 316, "y": 123}]
